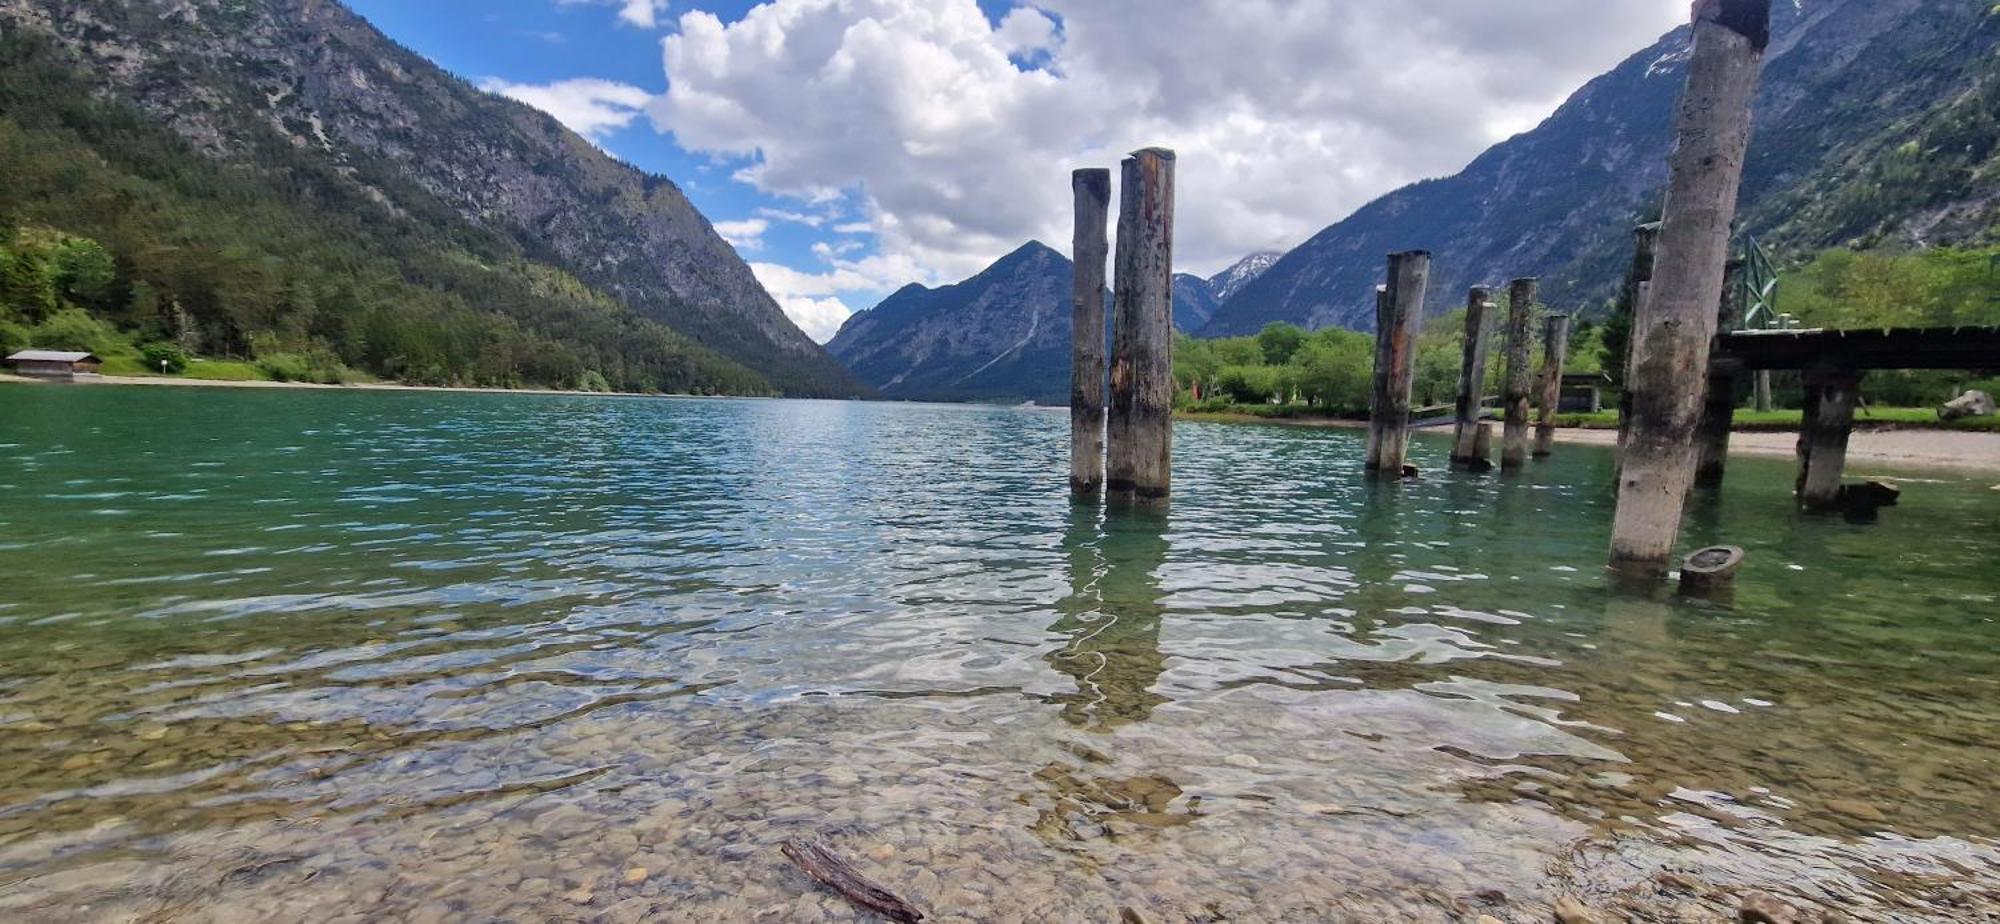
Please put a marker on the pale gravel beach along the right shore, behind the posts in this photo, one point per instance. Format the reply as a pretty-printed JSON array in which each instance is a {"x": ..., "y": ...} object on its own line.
[{"x": 1957, "y": 451}]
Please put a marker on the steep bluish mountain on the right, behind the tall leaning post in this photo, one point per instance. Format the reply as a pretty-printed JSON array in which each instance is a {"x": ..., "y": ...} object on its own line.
[{"x": 1875, "y": 125}]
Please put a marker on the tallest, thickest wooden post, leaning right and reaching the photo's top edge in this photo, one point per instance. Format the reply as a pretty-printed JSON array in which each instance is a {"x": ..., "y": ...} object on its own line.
[{"x": 1673, "y": 329}]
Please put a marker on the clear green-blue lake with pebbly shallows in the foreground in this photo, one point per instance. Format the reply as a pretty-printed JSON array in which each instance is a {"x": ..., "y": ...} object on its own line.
[{"x": 305, "y": 655}]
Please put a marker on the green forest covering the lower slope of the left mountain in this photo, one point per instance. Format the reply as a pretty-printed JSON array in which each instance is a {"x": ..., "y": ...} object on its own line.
[{"x": 117, "y": 235}]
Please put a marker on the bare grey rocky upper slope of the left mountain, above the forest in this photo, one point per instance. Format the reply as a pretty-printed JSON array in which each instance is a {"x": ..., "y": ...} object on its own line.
[{"x": 425, "y": 145}]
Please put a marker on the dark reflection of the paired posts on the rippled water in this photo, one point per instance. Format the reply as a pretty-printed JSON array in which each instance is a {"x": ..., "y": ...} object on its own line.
[{"x": 1111, "y": 619}]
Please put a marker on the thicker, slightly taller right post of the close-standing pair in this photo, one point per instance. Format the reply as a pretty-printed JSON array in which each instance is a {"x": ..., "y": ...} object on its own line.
[{"x": 1143, "y": 359}]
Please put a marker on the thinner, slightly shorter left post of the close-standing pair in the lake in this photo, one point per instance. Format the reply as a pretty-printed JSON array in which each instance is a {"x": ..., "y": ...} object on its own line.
[{"x": 1091, "y": 247}]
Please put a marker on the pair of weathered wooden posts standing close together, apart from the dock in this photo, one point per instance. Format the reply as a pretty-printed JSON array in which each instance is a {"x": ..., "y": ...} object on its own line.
[{"x": 1137, "y": 433}]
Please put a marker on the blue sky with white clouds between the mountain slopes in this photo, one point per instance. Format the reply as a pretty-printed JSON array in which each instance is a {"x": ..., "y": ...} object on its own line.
[{"x": 853, "y": 147}]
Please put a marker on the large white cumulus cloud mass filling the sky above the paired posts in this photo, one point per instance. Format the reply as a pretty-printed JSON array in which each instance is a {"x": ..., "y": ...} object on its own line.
[{"x": 957, "y": 135}]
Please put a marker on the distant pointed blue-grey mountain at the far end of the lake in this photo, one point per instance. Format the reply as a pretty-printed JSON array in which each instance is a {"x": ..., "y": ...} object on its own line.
[{"x": 997, "y": 337}]
